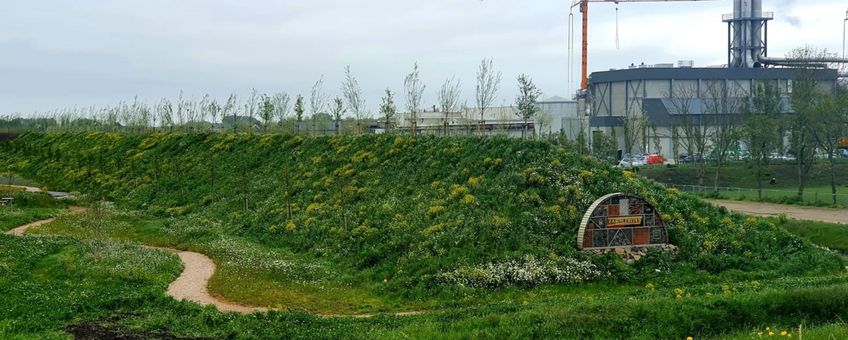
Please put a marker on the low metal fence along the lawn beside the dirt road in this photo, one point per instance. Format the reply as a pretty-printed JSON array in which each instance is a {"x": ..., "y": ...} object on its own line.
[{"x": 810, "y": 196}]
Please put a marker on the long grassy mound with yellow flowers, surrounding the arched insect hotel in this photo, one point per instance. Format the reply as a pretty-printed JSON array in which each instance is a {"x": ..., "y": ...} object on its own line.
[{"x": 423, "y": 213}]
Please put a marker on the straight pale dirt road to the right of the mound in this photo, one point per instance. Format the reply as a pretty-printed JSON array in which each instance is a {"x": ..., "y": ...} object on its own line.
[{"x": 829, "y": 215}]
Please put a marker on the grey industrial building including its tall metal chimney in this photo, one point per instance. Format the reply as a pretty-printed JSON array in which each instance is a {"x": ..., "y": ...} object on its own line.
[{"x": 661, "y": 95}]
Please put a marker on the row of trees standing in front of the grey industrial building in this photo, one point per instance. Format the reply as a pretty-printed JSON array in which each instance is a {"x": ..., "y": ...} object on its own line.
[{"x": 803, "y": 117}]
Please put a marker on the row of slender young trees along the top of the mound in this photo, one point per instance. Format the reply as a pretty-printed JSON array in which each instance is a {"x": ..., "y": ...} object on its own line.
[{"x": 261, "y": 112}]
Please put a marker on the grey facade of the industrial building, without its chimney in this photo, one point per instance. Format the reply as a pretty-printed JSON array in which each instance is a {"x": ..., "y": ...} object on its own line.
[{"x": 650, "y": 92}]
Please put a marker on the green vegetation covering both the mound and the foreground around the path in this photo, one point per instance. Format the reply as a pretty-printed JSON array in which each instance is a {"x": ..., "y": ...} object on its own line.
[{"x": 329, "y": 218}]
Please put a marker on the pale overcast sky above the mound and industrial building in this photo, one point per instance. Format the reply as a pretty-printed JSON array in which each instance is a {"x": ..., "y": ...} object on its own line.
[{"x": 57, "y": 54}]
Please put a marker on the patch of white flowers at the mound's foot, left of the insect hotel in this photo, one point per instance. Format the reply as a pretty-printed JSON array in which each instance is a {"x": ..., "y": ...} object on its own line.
[{"x": 526, "y": 272}]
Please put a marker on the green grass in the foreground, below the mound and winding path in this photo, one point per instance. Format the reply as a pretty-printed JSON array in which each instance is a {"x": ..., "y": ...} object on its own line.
[{"x": 51, "y": 284}]
